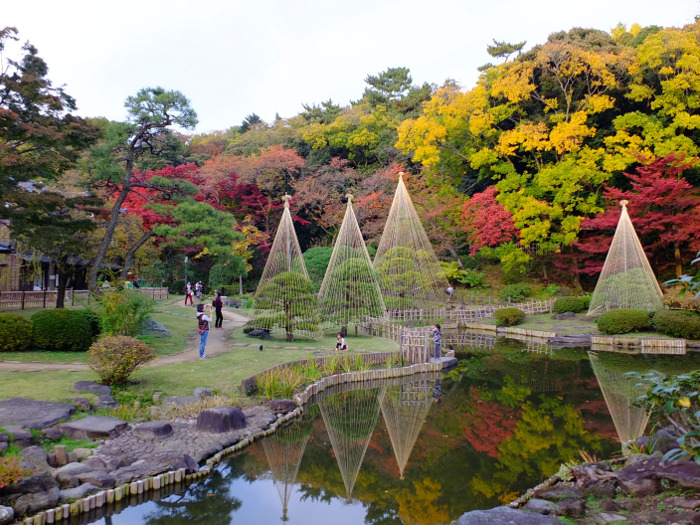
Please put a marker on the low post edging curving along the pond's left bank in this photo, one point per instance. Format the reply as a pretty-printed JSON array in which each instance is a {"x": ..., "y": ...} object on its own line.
[{"x": 104, "y": 497}]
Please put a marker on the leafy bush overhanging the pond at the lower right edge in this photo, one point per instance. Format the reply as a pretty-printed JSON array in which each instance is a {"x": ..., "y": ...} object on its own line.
[{"x": 676, "y": 399}]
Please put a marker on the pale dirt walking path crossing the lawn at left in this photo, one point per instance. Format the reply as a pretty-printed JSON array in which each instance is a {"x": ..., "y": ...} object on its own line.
[{"x": 216, "y": 344}]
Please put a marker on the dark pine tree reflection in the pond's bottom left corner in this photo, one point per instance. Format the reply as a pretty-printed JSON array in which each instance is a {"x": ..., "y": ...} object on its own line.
[{"x": 208, "y": 501}]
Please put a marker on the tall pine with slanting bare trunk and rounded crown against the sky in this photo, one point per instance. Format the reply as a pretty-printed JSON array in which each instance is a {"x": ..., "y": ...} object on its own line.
[{"x": 151, "y": 111}]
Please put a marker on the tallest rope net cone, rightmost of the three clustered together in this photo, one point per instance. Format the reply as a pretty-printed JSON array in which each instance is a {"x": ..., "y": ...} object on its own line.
[{"x": 409, "y": 272}]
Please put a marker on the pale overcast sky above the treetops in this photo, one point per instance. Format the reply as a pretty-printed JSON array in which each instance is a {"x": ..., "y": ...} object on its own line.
[{"x": 232, "y": 58}]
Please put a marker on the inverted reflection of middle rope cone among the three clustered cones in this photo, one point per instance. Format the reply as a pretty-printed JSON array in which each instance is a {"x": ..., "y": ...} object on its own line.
[{"x": 350, "y": 419}]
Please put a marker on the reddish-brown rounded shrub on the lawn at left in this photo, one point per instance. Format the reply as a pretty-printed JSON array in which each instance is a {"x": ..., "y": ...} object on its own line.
[{"x": 115, "y": 358}]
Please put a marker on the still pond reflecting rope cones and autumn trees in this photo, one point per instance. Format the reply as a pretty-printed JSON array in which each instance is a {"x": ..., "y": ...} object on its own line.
[{"x": 423, "y": 449}]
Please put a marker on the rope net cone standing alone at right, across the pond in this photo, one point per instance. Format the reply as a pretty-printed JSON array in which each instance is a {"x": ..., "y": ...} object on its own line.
[{"x": 627, "y": 280}]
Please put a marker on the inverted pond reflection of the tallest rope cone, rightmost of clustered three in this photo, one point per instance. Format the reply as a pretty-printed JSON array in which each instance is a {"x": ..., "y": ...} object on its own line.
[{"x": 404, "y": 409}]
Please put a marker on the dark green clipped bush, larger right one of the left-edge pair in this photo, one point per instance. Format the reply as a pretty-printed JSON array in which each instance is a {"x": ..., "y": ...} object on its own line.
[{"x": 62, "y": 329}]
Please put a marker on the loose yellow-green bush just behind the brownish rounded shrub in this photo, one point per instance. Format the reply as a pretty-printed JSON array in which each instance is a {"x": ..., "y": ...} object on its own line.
[{"x": 123, "y": 312}]
